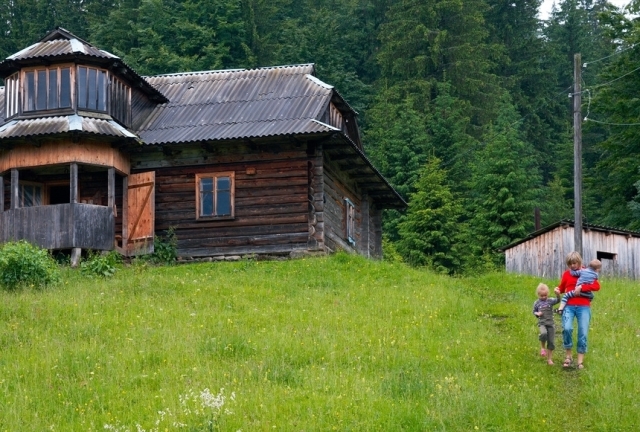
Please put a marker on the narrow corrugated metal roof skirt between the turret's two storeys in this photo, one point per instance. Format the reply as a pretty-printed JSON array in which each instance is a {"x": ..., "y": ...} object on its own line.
[{"x": 62, "y": 124}]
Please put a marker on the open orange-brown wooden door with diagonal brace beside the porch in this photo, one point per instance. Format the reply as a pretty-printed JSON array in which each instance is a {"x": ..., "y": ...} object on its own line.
[{"x": 139, "y": 226}]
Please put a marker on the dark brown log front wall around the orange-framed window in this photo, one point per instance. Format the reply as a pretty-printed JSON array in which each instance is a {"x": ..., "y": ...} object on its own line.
[{"x": 271, "y": 197}]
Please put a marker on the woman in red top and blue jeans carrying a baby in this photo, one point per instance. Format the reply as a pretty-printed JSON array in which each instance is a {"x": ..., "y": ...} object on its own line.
[{"x": 577, "y": 307}]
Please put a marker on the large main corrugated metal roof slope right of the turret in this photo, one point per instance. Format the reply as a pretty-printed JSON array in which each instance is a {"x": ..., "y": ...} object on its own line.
[{"x": 237, "y": 104}]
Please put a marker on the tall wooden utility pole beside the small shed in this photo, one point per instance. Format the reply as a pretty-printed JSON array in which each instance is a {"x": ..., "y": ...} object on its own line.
[{"x": 577, "y": 151}]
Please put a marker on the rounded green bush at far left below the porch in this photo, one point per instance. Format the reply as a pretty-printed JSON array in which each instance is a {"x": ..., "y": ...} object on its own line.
[{"x": 23, "y": 264}]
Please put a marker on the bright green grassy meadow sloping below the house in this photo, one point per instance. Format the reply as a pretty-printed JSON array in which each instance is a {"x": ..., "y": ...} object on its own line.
[{"x": 332, "y": 343}]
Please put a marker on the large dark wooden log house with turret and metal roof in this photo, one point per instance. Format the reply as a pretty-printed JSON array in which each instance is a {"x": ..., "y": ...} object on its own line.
[{"x": 264, "y": 161}]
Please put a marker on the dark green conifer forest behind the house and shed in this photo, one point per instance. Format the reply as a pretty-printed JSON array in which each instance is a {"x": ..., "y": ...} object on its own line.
[{"x": 465, "y": 106}]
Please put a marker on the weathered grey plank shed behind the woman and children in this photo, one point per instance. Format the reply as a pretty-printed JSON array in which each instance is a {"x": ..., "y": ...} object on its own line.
[{"x": 543, "y": 252}]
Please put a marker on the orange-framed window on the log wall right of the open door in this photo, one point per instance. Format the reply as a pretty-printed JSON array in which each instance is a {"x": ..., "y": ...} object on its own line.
[{"x": 215, "y": 195}]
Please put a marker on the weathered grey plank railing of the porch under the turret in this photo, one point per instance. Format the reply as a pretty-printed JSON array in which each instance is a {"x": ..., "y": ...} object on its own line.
[{"x": 60, "y": 226}]
